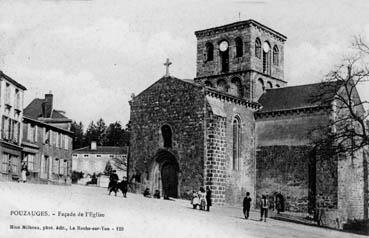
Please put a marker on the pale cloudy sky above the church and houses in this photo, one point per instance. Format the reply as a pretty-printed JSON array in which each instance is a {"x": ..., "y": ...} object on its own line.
[{"x": 93, "y": 54}]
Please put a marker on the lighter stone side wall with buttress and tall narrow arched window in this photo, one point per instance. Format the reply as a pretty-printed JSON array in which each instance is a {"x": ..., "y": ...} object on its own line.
[{"x": 229, "y": 185}]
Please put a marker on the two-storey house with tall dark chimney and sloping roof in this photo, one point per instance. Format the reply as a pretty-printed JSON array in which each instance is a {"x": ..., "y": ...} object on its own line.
[{"x": 47, "y": 142}]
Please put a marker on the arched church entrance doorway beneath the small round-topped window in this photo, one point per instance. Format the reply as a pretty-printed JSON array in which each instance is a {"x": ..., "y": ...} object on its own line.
[{"x": 165, "y": 174}]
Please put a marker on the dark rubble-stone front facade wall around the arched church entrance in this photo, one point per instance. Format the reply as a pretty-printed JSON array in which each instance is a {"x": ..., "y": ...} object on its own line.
[{"x": 180, "y": 105}]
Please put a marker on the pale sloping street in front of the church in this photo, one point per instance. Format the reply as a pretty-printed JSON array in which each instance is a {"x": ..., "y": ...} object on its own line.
[{"x": 134, "y": 216}]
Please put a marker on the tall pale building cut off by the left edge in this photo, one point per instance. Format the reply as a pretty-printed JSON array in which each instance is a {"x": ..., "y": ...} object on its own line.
[{"x": 11, "y": 111}]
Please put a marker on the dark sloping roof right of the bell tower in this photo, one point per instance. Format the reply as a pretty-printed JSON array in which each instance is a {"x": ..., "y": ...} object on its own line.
[{"x": 298, "y": 97}]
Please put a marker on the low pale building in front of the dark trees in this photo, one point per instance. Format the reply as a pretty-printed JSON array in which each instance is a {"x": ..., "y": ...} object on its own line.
[{"x": 94, "y": 159}]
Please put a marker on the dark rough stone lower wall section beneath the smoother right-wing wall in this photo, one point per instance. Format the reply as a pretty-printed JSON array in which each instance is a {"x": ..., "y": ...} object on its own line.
[{"x": 287, "y": 170}]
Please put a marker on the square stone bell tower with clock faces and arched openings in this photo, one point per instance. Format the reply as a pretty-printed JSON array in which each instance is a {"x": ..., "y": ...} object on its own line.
[{"x": 242, "y": 59}]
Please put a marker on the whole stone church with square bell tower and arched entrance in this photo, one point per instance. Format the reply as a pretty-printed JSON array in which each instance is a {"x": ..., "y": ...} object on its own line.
[{"x": 238, "y": 128}]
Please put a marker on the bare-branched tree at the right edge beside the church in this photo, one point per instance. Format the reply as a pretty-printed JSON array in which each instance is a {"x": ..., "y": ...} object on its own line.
[{"x": 347, "y": 130}]
